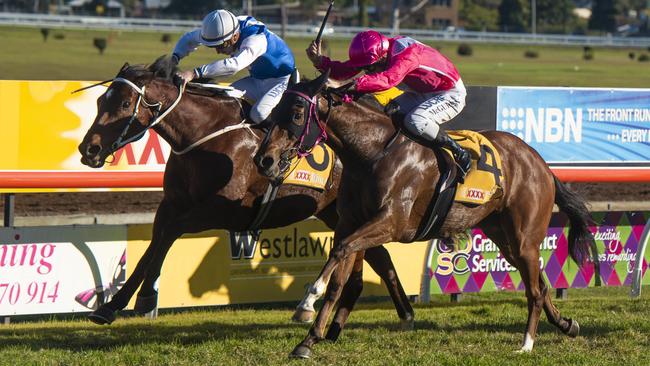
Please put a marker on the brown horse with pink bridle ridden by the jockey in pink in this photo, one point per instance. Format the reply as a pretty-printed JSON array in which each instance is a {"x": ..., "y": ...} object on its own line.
[{"x": 384, "y": 194}]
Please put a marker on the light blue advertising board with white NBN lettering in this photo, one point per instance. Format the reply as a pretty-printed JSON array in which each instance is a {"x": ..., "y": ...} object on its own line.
[{"x": 579, "y": 126}]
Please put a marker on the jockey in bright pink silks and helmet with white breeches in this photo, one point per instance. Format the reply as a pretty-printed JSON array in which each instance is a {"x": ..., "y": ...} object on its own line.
[{"x": 434, "y": 92}]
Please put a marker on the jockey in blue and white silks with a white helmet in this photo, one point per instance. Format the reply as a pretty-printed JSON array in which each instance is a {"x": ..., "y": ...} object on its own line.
[{"x": 250, "y": 45}]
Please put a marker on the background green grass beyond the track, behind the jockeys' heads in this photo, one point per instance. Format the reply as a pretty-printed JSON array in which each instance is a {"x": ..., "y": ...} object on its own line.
[{"x": 25, "y": 56}]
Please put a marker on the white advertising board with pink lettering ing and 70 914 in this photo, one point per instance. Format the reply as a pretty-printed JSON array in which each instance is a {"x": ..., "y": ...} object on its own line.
[{"x": 61, "y": 269}]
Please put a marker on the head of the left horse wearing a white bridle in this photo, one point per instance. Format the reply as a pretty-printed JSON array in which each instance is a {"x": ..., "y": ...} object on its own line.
[{"x": 124, "y": 111}]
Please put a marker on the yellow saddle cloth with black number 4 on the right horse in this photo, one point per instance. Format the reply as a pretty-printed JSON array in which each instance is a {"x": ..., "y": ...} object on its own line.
[{"x": 485, "y": 179}]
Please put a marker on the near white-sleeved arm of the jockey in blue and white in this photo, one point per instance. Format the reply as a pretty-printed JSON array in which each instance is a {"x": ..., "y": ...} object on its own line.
[{"x": 251, "y": 48}]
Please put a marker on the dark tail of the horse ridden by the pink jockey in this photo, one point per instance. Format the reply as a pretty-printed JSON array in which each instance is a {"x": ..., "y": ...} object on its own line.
[{"x": 580, "y": 237}]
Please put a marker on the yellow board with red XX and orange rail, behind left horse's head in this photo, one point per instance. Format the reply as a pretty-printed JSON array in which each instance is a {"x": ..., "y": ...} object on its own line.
[{"x": 43, "y": 123}]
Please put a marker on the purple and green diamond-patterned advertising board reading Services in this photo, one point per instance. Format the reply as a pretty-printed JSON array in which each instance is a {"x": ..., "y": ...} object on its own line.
[{"x": 476, "y": 265}]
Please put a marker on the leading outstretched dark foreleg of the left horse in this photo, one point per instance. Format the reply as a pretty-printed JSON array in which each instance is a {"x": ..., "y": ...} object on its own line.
[{"x": 105, "y": 314}]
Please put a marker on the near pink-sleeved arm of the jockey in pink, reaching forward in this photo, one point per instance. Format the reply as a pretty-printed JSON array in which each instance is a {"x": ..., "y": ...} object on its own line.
[{"x": 400, "y": 65}]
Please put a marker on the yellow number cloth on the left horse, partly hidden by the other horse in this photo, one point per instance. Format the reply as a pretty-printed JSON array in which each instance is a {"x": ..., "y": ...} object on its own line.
[{"x": 314, "y": 170}]
